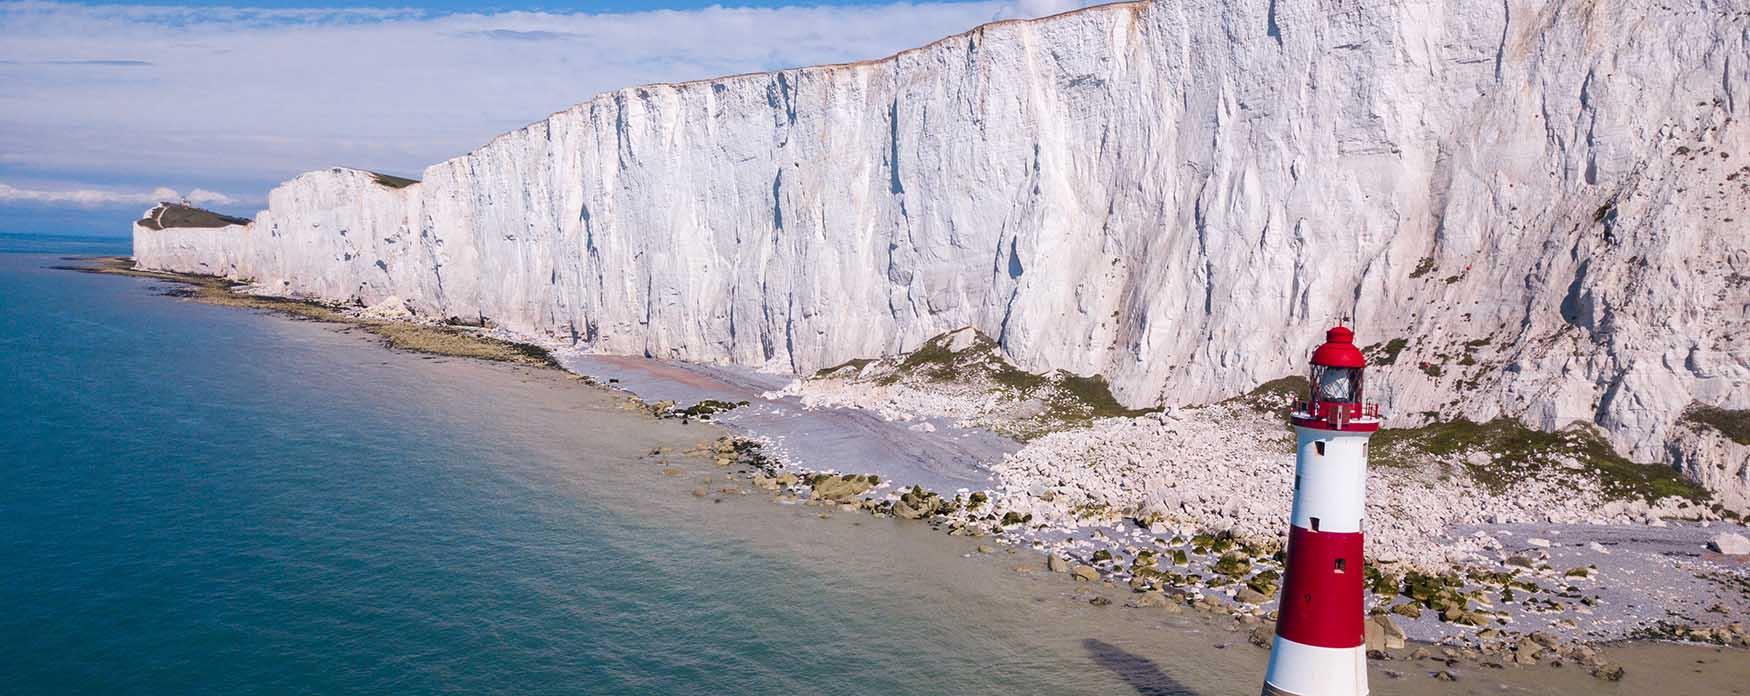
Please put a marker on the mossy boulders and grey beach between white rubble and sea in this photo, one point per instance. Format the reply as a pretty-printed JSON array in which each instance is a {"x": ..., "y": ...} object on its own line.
[{"x": 1485, "y": 613}]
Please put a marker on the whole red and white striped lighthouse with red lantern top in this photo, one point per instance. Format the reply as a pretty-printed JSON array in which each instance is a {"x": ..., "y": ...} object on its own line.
[{"x": 1320, "y": 637}]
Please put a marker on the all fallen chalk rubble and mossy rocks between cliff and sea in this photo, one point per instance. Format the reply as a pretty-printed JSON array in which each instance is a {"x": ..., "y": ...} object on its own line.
[{"x": 1194, "y": 501}]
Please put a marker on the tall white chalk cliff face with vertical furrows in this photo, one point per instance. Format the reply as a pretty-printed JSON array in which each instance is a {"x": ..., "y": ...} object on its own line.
[{"x": 1550, "y": 204}]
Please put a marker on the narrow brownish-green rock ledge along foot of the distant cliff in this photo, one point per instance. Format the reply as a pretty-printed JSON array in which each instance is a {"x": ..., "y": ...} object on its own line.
[{"x": 419, "y": 338}]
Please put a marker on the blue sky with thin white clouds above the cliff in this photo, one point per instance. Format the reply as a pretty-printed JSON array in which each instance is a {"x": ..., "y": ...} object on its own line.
[{"x": 111, "y": 108}]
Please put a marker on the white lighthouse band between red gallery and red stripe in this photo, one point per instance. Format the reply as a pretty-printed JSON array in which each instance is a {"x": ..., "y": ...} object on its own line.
[{"x": 1331, "y": 487}]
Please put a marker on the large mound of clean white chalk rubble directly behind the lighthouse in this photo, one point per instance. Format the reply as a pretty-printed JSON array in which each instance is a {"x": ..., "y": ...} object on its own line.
[{"x": 1231, "y": 470}]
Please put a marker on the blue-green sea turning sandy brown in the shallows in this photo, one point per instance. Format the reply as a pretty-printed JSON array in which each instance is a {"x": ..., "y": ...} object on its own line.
[{"x": 211, "y": 501}]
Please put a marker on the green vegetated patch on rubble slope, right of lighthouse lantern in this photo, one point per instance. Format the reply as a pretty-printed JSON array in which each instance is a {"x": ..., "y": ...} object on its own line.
[{"x": 1520, "y": 452}]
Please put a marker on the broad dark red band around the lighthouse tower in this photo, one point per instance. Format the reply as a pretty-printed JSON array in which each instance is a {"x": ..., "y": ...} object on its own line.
[{"x": 1322, "y": 597}]
